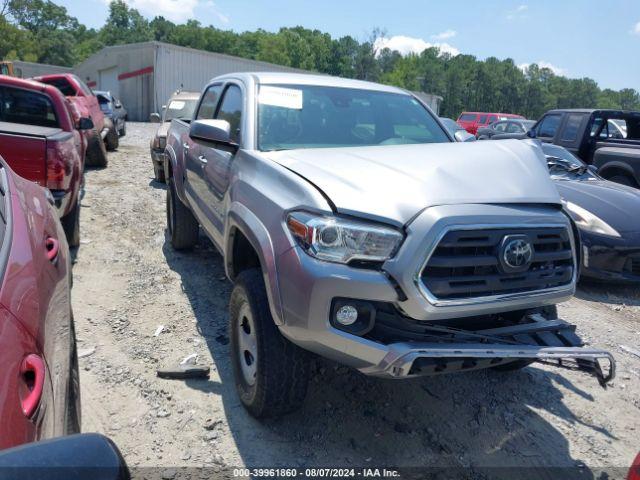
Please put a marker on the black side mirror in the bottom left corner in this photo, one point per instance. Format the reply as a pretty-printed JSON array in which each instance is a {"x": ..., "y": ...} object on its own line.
[{"x": 75, "y": 457}]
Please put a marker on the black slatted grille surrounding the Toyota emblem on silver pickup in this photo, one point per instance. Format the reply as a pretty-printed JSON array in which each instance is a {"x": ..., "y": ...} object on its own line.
[{"x": 467, "y": 264}]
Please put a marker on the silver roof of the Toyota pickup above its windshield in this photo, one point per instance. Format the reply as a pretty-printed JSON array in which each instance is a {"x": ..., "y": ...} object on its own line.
[{"x": 285, "y": 78}]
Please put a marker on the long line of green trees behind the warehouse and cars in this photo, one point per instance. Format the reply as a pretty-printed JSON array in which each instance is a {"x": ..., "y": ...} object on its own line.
[{"x": 40, "y": 30}]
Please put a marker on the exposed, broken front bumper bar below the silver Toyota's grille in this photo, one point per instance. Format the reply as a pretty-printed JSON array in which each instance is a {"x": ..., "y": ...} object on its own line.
[{"x": 552, "y": 342}]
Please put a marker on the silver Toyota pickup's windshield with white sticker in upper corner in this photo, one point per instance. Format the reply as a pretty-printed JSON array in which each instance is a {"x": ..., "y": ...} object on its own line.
[{"x": 304, "y": 116}]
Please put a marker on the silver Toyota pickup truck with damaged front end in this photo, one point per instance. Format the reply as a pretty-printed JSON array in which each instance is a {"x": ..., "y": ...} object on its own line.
[{"x": 356, "y": 228}]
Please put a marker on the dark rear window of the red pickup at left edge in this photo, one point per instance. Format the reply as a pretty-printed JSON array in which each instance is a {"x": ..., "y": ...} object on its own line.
[{"x": 26, "y": 107}]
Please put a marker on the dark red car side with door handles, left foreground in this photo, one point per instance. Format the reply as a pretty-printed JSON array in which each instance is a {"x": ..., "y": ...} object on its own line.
[{"x": 40, "y": 395}]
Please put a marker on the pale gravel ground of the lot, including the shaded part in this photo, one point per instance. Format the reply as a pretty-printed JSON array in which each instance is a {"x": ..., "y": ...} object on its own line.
[{"x": 128, "y": 282}]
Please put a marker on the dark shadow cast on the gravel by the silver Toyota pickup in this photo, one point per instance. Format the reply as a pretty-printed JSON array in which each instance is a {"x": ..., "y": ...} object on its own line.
[{"x": 486, "y": 423}]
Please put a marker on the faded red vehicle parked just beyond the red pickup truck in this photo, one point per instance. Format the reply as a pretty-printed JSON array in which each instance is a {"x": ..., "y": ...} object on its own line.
[{"x": 79, "y": 93}]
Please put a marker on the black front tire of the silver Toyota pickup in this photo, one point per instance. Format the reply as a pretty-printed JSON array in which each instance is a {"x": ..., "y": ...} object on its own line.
[{"x": 281, "y": 368}]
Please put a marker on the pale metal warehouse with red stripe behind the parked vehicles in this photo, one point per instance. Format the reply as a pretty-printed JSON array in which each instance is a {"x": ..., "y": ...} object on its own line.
[{"x": 144, "y": 75}]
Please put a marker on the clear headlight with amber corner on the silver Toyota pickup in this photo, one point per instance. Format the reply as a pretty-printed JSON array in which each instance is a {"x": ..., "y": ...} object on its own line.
[{"x": 339, "y": 240}]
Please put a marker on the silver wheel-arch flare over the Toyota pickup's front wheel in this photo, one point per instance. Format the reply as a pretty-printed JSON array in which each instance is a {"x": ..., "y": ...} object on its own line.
[{"x": 240, "y": 218}]
